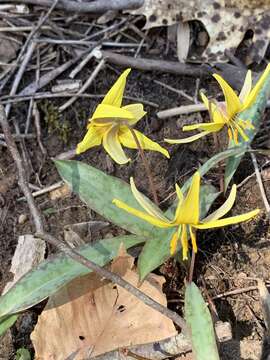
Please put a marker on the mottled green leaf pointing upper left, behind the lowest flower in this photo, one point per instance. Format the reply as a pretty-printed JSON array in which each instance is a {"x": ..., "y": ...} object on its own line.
[{"x": 98, "y": 190}]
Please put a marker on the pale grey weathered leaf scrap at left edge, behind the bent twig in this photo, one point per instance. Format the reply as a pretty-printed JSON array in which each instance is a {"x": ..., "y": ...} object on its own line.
[{"x": 29, "y": 252}]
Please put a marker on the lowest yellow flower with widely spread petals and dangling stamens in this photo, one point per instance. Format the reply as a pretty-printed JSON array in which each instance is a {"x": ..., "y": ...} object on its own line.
[{"x": 187, "y": 214}]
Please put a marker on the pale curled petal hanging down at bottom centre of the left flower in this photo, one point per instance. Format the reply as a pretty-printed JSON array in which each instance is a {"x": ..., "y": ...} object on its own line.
[{"x": 113, "y": 147}]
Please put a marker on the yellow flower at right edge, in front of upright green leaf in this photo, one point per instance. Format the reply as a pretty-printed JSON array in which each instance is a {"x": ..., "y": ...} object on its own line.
[{"x": 227, "y": 114}]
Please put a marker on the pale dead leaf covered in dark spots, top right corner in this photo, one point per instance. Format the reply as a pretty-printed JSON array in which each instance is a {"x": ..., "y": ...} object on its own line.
[{"x": 226, "y": 22}]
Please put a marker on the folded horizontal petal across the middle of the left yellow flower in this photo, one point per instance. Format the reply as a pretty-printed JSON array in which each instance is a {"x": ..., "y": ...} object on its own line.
[{"x": 104, "y": 111}]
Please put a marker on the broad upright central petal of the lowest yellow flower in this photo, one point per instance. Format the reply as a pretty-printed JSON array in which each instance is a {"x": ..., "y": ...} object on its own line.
[{"x": 190, "y": 207}]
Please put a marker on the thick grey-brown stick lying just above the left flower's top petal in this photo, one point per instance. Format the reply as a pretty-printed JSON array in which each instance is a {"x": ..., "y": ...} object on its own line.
[{"x": 172, "y": 67}]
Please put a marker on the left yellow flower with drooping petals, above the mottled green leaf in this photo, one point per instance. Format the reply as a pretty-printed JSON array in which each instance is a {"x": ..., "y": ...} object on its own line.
[{"x": 110, "y": 125}]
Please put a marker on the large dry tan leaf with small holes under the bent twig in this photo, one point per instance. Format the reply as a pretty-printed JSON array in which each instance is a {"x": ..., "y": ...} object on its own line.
[{"x": 92, "y": 316}]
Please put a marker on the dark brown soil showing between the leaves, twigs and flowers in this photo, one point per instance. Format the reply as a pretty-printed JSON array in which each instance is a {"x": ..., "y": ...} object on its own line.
[{"x": 228, "y": 259}]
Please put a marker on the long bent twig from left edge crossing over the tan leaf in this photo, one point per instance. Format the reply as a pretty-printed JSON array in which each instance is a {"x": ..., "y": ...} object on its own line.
[{"x": 65, "y": 248}]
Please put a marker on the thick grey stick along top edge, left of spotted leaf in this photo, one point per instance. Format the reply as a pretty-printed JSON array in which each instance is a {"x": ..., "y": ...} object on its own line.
[{"x": 98, "y": 6}]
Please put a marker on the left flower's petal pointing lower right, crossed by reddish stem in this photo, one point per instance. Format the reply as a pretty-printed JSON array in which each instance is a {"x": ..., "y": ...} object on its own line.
[{"x": 126, "y": 138}]
